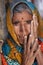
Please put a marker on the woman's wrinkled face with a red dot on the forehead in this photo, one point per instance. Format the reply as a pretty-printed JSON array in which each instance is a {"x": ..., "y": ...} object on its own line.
[{"x": 22, "y": 25}]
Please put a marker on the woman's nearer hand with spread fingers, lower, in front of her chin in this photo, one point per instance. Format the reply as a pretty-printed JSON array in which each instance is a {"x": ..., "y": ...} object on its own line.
[{"x": 30, "y": 54}]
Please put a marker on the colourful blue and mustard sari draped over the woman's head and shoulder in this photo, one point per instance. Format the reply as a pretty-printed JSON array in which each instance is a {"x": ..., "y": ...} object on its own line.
[{"x": 11, "y": 49}]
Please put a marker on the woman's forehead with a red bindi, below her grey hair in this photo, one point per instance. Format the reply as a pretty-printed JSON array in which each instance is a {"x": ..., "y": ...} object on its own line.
[{"x": 23, "y": 15}]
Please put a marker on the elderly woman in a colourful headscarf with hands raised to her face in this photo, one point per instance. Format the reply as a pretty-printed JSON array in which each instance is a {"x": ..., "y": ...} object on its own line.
[{"x": 21, "y": 46}]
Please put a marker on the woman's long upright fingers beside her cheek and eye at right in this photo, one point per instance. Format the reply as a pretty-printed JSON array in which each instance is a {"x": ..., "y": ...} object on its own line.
[{"x": 34, "y": 26}]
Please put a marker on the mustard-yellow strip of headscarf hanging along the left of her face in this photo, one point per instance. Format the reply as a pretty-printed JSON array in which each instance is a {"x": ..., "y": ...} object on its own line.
[{"x": 10, "y": 26}]
